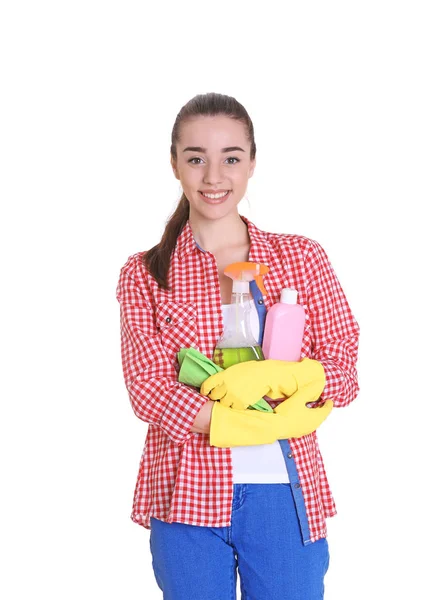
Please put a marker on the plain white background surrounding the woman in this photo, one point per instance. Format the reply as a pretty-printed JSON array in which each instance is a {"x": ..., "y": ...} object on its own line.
[{"x": 341, "y": 95}]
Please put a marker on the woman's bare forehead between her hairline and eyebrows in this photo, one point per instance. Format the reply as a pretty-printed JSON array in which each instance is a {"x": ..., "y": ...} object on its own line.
[{"x": 213, "y": 132}]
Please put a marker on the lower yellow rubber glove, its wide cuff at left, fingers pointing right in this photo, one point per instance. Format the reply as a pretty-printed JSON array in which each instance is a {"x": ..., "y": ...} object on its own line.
[{"x": 230, "y": 427}]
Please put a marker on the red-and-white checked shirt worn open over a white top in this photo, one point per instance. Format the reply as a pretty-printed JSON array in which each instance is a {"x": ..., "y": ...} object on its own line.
[{"x": 181, "y": 477}]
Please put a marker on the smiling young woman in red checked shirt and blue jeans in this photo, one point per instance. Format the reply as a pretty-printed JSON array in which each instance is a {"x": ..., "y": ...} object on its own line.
[{"x": 215, "y": 507}]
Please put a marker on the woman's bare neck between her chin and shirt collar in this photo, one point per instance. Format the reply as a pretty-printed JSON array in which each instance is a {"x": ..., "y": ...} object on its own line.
[{"x": 221, "y": 233}]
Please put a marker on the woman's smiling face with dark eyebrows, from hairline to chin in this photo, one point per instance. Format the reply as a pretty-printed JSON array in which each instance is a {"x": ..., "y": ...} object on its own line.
[{"x": 213, "y": 157}]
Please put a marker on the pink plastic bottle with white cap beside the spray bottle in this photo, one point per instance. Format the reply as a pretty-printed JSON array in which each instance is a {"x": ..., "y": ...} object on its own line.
[{"x": 284, "y": 328}]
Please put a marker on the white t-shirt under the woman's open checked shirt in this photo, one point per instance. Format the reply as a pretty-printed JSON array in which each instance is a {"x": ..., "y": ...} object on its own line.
[{"x": 263, "y": 463}]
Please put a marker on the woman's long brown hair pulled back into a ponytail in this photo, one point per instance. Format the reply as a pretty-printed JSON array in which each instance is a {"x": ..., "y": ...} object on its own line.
[{"x": 157, "y": 260}]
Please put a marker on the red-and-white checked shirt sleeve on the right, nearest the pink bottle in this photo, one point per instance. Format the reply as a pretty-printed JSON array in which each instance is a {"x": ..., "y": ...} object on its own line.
[{"x": 334, "y": 328}]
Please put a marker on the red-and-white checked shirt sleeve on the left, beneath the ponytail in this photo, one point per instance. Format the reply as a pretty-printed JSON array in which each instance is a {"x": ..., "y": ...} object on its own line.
[{"x": 155, "y": 394}]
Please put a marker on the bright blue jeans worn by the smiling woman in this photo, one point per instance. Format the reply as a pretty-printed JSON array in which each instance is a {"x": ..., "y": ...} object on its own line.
[{"x": 263, "y": 542}]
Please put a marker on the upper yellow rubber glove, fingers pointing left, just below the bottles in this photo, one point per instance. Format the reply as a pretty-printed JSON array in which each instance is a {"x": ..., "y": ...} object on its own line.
[{"x": 245, "y": 383}]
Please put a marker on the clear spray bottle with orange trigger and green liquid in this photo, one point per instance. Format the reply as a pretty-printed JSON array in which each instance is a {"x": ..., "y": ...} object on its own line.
[{"x": 237, "y": 343}]
